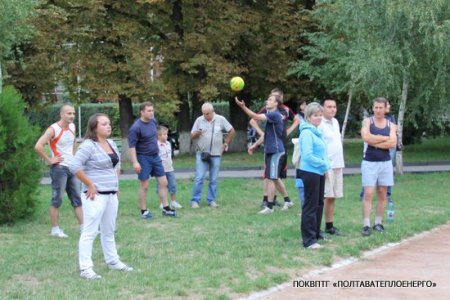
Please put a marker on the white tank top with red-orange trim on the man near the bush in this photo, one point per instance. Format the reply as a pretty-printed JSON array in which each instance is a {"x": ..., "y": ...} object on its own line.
[{"x": 62, "y": 142}]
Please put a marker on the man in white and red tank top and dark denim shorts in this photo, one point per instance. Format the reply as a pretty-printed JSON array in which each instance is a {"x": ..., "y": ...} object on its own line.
[{"x": 61, "y": 138}]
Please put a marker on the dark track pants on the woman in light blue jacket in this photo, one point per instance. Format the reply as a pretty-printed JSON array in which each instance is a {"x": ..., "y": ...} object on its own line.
[{"x": 313, "y": 208}]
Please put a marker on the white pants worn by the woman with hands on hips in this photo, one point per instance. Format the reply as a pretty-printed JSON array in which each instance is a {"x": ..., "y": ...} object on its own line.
[{"x": 99, "y": 212}]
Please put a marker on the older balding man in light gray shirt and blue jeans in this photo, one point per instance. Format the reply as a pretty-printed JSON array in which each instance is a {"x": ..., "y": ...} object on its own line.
[{"x": 209, "y": 130}]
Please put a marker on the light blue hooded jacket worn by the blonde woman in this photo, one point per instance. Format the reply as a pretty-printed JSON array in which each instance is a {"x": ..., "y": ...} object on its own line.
[{"x": 313, "y": 150}]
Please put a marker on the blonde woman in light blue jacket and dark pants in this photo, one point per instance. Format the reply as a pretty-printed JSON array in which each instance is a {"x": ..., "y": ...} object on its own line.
[{"x": 313, "y": 166}]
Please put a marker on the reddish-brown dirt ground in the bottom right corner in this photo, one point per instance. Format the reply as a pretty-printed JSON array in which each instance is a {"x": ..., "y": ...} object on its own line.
[{"x": 419, "y": 268}]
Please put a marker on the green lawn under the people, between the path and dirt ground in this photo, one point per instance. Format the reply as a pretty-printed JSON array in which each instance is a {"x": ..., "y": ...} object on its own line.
[{"x": 205, "y": 253}]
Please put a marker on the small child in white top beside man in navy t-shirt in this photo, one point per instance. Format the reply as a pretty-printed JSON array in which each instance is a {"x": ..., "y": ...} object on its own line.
[{"x": 165, "y": 152}]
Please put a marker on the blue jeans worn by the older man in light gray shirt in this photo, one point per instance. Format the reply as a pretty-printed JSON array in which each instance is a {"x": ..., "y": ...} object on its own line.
[{"x": 201, "y": 168}]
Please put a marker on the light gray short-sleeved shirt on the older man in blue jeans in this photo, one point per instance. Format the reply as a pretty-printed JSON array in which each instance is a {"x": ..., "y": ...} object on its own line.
[{"x": 219, "y": 125}]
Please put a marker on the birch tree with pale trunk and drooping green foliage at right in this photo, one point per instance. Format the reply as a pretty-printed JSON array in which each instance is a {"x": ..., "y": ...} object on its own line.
[{"x": 398, "y": 49}]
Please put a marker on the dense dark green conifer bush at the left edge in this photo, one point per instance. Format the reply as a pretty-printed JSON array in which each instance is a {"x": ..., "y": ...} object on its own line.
[{"x": 19, "y": 167}]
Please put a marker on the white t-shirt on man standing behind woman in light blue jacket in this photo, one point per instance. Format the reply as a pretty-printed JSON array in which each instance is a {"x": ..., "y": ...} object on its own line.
[{"x": 332, "y": 136}]
